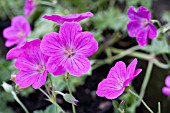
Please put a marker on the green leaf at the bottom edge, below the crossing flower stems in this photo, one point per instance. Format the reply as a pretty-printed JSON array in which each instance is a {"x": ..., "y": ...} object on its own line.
[{"x": 50, "y": 109}]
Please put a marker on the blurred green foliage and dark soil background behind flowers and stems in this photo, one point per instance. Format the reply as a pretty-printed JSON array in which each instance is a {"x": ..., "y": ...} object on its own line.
[{"x": 109, "y": 27}]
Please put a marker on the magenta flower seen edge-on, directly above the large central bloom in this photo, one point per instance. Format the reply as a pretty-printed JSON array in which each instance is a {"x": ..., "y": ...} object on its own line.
[{"x": 68, "y": 18}]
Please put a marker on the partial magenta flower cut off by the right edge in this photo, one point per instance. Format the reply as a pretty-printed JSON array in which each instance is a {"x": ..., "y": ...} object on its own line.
[{"x": 166, "y": 89}]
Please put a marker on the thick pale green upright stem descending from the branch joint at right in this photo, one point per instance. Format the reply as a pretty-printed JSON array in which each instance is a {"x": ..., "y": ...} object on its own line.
[{"x": 145, "y": 81}]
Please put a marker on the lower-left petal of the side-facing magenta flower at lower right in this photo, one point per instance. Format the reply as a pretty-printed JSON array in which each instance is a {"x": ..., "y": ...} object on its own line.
[{"x": 109, "y": 88}]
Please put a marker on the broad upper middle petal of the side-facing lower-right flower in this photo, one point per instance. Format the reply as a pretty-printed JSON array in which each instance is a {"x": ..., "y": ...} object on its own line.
[{"x": 118, "y": 72}]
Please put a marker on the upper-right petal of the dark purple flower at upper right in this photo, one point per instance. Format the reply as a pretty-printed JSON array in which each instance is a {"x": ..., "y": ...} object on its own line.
[{"x": 144, "y": 13}]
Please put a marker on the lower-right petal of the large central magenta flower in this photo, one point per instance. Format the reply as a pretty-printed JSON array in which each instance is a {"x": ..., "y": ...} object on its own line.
[{"x": 78, "y": 65}]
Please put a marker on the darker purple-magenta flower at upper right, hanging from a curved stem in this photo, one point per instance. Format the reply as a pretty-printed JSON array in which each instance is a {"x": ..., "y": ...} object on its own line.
[{"x": 140, "y": 26}]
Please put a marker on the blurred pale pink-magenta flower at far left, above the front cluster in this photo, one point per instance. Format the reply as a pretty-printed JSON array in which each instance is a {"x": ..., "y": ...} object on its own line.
[{"x": 17, "y": 33}]
